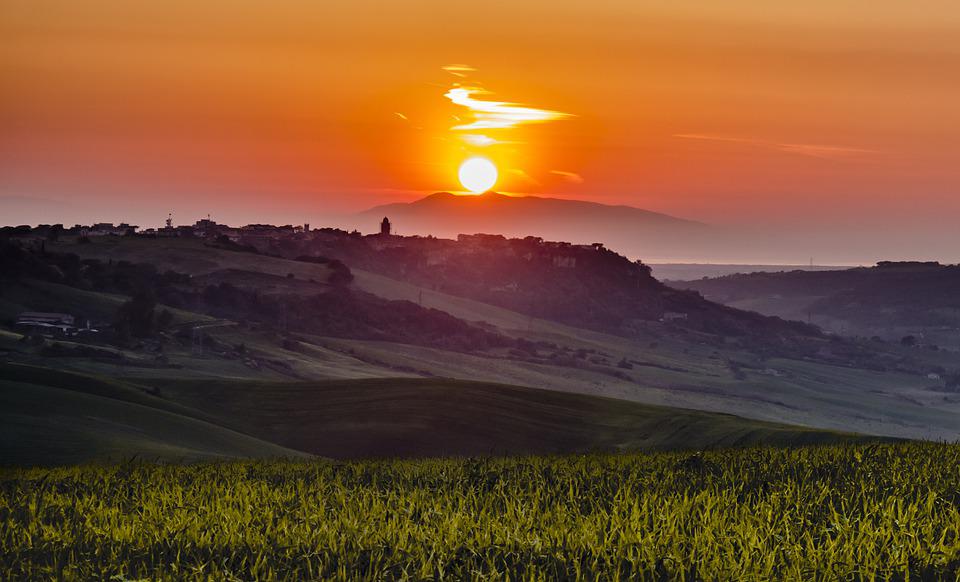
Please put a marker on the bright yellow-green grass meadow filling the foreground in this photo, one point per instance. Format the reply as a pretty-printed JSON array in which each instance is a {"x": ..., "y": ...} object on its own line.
[{"x": 862, "y": 512}]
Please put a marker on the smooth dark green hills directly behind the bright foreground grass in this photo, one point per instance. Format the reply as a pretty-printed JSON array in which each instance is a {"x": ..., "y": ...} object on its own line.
[{"x": 50, "y": 417}]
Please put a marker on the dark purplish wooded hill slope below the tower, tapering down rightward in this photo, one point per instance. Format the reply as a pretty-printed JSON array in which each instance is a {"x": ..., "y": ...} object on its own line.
[{"x": 586, "y": 286}]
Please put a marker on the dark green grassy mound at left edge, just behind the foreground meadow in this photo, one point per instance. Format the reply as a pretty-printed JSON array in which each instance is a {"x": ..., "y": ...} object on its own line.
[{"x": 54, "y": 418}]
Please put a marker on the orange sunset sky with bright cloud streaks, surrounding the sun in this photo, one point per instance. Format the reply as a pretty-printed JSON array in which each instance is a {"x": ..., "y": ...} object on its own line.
[{"x": 817, "y": 116}]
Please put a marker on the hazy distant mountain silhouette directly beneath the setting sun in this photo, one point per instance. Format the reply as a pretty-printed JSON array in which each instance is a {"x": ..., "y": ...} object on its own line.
[{"x": 632, "y": 231}]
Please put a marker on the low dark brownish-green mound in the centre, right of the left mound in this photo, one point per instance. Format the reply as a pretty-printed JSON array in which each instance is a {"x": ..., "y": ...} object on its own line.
[{"x": 413, "y": 417}]
